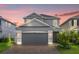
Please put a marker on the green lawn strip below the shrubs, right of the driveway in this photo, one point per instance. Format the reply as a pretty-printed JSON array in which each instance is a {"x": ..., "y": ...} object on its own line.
[{"x": 73, "y": 50}]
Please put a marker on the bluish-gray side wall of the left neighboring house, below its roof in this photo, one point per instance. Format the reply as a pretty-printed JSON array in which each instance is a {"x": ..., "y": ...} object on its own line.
[{"x": 8, "y": 28}]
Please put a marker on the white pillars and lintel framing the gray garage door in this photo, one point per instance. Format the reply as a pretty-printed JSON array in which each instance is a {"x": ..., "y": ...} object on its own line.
[{"x": 19, "y": 36}]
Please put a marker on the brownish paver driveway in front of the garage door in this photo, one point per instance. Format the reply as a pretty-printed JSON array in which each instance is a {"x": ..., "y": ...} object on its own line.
[{"x": 29, "y": 49}]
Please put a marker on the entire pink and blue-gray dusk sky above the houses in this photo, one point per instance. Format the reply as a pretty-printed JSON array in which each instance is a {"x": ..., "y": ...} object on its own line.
[{"x": 16, "y": 12}]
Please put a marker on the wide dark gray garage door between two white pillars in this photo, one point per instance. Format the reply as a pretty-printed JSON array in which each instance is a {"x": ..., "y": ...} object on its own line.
[{"x": 35, "y": 38}]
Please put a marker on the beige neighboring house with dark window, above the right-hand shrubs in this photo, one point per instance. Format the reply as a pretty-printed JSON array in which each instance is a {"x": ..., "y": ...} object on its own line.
[{"x": 71, "y": 24}]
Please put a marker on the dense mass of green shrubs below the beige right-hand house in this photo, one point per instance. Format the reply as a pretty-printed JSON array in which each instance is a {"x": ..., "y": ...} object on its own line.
[{"x": 68, "y": 38}]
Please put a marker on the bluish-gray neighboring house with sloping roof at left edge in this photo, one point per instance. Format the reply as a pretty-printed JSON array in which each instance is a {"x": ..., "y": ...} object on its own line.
[{"x": 7, "y": 28}]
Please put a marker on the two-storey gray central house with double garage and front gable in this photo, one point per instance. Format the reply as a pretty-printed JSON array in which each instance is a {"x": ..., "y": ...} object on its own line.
[{"x": 38, "y": 29}]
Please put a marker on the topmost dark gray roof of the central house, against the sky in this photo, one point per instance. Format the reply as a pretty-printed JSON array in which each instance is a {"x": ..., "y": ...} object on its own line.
[{"x": 42, "y": 16}]
